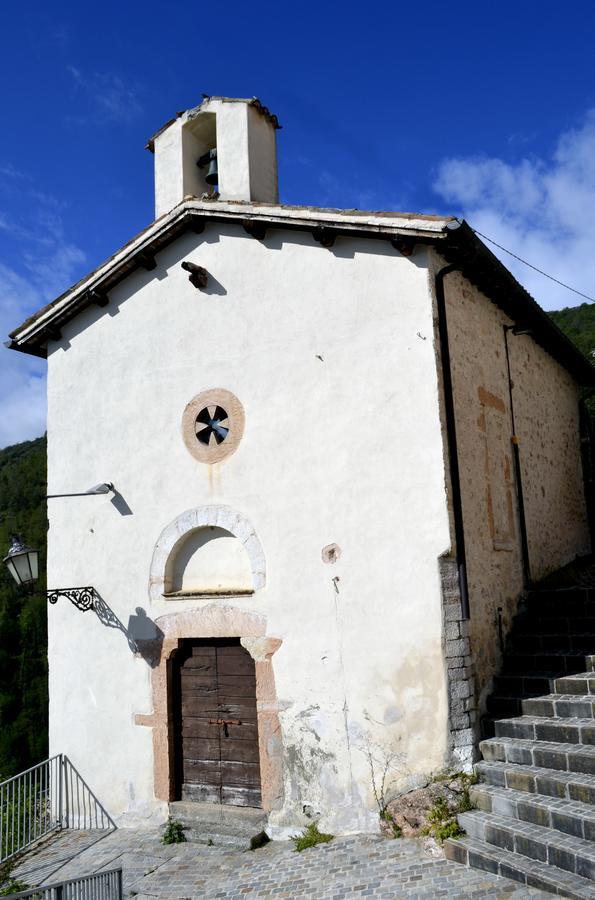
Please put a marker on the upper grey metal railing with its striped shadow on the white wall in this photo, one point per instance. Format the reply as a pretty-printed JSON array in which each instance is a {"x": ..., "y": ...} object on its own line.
[{"x": 45, "y": 798}]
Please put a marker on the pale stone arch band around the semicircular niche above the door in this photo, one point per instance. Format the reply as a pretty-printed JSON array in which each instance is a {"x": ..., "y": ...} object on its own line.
[{"x": 176, "y": 533}]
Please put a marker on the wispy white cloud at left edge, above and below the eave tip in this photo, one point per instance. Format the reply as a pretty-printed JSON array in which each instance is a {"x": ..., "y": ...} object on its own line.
[{"x": 44, "y": 264}]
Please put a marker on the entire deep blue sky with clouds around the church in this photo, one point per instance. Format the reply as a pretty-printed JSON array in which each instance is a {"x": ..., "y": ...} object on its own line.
[{"x": 482, "y": 110}]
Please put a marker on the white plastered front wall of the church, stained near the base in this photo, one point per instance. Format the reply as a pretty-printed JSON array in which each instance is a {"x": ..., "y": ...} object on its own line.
[{"x": 331, "y": 355}]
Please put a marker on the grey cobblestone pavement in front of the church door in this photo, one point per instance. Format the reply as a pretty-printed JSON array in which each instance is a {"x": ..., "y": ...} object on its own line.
[{"x": 355, "y": 866}]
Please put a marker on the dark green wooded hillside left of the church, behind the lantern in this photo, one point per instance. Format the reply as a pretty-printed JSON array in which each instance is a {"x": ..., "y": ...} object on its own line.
[{"x": 23, "y": 614}]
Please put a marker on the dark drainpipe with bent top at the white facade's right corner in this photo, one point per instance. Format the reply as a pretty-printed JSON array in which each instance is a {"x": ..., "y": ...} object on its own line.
[{"x": 451, "y": 436}]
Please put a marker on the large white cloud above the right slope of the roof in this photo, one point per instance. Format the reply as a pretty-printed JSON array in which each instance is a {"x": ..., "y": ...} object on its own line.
[{"x": 543, "y": 209}]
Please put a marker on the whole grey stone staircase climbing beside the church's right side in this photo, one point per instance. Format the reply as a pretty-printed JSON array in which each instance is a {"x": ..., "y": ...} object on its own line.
[{"x": 534, "y": 820}]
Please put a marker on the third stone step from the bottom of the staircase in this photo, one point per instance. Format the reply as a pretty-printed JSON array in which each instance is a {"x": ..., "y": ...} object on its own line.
[{"x": 566, "y": 816}]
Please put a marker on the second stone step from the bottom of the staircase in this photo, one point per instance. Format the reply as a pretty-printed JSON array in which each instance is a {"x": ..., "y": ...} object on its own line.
[{"x": 545, "y": 845}]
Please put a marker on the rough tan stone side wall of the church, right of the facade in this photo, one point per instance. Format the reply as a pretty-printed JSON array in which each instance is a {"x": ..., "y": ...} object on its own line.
[{"x": 546, "y": 415}]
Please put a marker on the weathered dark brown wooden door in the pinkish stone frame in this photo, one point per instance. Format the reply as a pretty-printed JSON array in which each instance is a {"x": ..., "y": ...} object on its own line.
[{"x": 216, "y": 725}]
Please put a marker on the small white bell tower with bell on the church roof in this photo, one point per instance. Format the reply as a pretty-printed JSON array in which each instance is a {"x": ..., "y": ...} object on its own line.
[{"x": 222, "y": 148}]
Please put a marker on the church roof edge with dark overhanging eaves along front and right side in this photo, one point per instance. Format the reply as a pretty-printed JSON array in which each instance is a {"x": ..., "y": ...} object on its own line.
[{"x": 458, "y": 245}]
